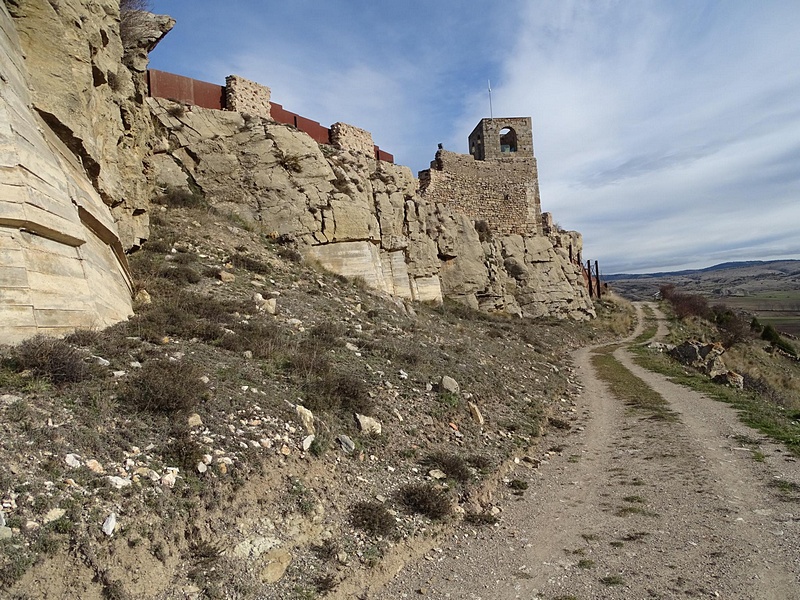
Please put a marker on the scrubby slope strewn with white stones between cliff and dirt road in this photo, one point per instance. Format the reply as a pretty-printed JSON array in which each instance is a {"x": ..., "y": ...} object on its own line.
[{"x": 179, "y": 464}]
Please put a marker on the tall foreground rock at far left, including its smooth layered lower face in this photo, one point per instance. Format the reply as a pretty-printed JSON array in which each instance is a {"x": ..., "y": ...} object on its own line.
[{"x": 73, "y": 132}]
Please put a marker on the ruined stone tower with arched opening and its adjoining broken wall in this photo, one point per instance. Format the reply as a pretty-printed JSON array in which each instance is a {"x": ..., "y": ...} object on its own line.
[{"x": 497, "y": 182}]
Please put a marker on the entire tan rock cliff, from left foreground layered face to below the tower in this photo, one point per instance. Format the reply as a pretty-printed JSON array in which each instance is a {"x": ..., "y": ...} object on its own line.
[{"x": 77, "y": 136}]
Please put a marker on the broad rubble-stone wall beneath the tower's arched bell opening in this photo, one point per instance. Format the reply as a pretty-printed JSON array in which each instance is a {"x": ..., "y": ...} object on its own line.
[{"x": 502, "y": 192}]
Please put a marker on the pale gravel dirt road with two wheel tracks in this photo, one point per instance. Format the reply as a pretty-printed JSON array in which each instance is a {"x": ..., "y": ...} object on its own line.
[{"x": 624, "y": 506}]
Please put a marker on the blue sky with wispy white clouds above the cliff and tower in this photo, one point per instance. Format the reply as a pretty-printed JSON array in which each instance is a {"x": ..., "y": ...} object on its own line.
[{"x": 667, "y": 132}]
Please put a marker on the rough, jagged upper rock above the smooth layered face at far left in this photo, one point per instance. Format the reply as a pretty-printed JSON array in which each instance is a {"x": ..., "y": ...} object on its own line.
[{"x": 83, "y": 90}]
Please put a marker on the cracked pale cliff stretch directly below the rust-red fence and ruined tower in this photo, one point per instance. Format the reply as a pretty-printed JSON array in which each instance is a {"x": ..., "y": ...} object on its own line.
[{"x": 358, "y": 216}]
